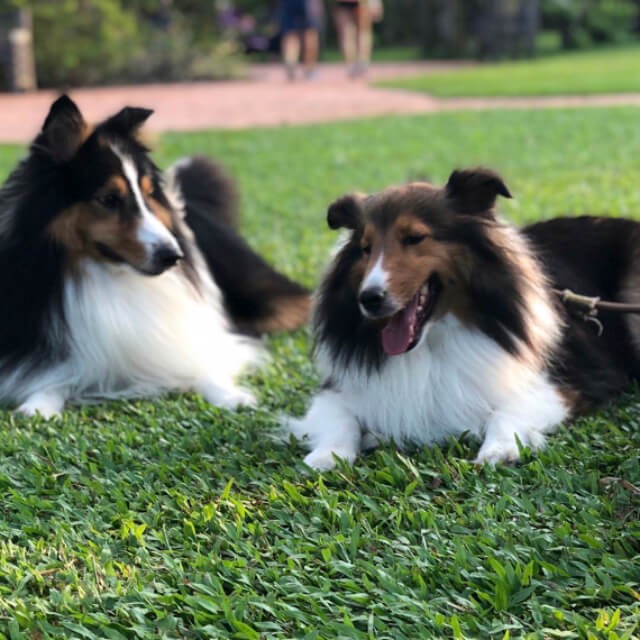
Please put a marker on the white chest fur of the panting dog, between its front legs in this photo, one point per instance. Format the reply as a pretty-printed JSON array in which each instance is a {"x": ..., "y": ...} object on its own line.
[{"x": 447, "y": 385}]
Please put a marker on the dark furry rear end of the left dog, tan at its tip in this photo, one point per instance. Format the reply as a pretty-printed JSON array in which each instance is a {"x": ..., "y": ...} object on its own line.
[{"x": 258, "y": 298}]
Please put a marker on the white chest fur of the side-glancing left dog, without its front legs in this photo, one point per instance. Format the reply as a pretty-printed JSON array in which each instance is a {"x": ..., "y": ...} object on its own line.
[{"x": 145, "y": 333}]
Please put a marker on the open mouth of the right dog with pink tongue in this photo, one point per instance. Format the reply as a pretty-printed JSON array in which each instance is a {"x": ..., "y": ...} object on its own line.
[{"x": 404, "y": 329}]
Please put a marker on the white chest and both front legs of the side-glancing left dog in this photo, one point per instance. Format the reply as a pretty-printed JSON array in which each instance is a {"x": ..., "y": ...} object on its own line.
[{"x": 131, "y": 335}]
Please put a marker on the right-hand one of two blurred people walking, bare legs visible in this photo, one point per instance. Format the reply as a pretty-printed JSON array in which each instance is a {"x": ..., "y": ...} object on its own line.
[{"x": 354, "y": 20}]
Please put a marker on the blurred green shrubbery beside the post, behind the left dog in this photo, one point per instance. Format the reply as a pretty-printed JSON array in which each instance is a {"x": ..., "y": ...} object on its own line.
[{"x": 89, "y": 42}]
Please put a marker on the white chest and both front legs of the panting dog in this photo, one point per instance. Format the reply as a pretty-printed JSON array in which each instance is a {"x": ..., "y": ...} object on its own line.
[{"x": 456, "y": 380}]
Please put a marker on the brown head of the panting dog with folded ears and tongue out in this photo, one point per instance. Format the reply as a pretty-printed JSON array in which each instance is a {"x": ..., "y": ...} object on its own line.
[{"x": 415, "y": 248}]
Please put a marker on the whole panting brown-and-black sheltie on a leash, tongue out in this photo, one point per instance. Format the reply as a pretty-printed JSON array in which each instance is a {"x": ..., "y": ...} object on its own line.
[{"x": 436, "y": 318}]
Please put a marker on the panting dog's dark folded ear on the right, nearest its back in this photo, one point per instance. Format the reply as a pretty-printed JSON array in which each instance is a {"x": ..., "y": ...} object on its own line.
[{"x": 474, "y": 191}]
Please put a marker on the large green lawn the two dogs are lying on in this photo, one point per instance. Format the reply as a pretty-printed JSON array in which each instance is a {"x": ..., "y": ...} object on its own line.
[{"x": 177, "y": 520}]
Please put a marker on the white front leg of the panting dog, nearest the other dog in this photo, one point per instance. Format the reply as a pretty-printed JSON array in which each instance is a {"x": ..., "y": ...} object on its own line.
[{"x": 329, "y": 429}]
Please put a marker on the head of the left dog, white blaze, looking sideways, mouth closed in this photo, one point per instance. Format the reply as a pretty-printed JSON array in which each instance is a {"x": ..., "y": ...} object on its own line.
[{"x": 110, "y": 201}]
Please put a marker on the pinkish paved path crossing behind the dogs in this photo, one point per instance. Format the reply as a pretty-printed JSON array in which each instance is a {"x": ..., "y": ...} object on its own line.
[{"x": 267, "y": 99}]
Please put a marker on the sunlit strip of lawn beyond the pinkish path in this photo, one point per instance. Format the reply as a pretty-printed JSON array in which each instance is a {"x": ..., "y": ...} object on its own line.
[{"x": 600, "y": 71}]
